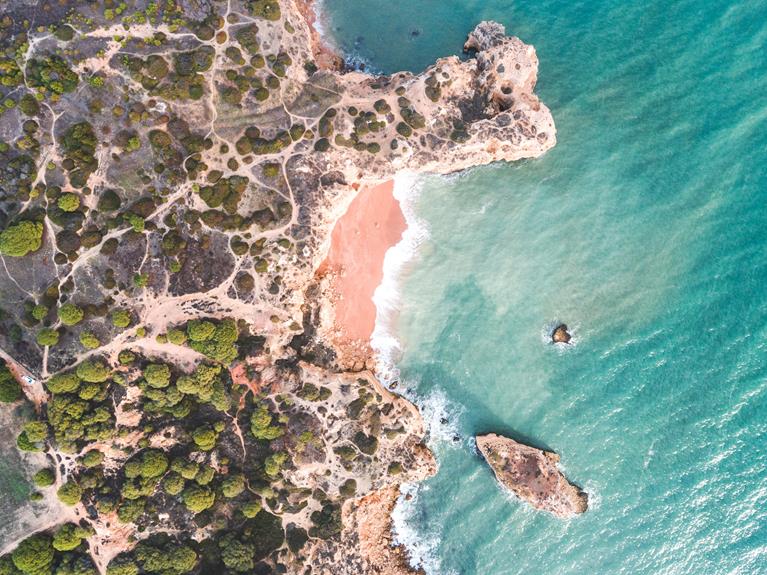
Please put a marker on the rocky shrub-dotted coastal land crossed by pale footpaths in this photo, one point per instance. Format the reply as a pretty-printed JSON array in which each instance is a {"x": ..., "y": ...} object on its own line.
[{"x": 170, "y": 172}]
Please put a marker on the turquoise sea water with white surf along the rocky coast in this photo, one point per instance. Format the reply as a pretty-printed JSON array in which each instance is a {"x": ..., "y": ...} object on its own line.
[{"x": 645, "y": 230}]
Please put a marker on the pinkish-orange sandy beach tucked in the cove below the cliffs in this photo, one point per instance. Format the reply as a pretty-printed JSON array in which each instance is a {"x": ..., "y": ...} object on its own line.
[{"x": 372, "y": 224}]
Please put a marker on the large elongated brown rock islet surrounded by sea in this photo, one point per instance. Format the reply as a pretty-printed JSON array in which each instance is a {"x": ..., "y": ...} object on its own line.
[{"x": 532, "y": 475}]
